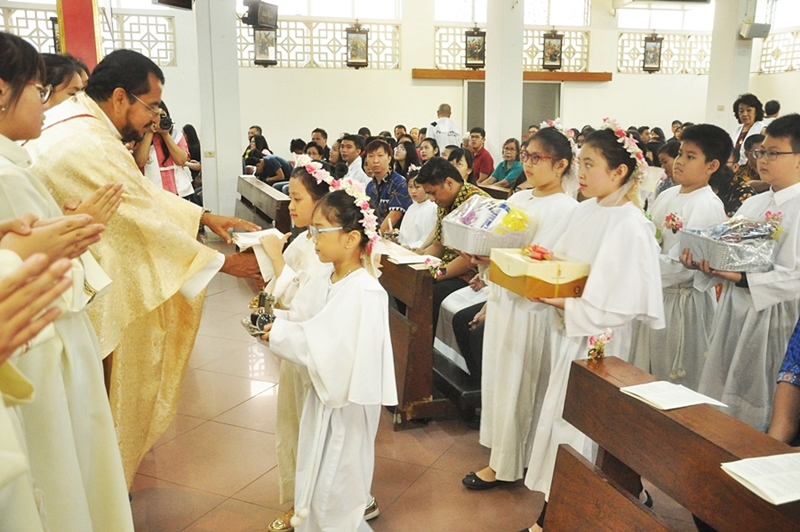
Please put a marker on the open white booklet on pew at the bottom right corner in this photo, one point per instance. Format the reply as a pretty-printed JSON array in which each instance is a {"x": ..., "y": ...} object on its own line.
[{"x": 776, "y": 479}]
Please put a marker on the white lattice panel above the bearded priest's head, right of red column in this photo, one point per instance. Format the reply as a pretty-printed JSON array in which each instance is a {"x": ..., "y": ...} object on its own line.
[{"x": 153, "y": 36}]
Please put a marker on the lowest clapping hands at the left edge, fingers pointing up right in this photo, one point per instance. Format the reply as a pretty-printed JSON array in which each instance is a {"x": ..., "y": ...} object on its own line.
[{"x": 24, "y": 294}]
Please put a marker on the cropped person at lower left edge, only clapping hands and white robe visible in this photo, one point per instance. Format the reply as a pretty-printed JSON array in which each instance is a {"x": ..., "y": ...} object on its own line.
[{"x": 25, "y": 292}]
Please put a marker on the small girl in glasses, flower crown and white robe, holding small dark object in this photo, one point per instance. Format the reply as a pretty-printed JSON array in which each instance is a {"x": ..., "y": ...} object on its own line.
[{"x": 337, "y": 334}]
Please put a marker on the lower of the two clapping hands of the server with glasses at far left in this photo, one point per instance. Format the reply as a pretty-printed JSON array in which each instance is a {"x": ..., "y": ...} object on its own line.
[{"x": 63, "y": 237}]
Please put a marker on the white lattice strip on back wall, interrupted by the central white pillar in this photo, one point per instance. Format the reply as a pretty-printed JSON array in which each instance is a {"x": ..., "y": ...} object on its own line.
[{"x": 449, "y": 48}]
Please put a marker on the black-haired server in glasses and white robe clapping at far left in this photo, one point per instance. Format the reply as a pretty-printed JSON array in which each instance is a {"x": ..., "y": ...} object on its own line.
[{"x": 74, "y": 456}]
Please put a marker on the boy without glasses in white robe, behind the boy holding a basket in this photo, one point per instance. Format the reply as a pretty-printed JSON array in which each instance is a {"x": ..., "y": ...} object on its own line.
[{"x": 677, "y": 353}]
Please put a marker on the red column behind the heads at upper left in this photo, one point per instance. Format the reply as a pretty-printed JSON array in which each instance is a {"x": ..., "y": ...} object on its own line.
[{"x": 79, "y": 30}]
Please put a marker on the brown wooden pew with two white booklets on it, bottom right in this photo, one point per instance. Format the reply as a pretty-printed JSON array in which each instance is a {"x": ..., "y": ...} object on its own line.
[{"x": 679, "y": 451}]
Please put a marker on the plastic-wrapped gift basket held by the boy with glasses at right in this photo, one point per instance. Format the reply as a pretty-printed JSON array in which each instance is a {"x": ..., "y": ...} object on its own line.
[{"x": 736, "y": 245}]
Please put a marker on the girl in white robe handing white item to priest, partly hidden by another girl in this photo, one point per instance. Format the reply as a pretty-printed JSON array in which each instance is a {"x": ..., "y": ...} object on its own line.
[{"x": 293, "y": 267}]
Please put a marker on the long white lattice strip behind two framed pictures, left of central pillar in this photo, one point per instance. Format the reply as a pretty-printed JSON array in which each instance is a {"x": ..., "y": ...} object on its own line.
[{"x": 318, "y": 44}]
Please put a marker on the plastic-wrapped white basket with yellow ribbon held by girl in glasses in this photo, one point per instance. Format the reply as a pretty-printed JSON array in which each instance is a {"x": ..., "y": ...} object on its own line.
[{"x": 480, "y": 224}]
